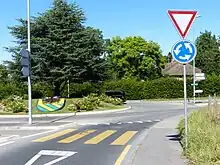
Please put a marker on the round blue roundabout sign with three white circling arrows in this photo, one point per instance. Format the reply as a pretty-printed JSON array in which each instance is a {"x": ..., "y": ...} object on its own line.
[{"x": 184, "y": 51}]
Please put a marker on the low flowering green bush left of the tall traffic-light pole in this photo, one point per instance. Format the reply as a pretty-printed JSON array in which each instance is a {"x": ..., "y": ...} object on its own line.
[{"x": 14, "y": 104}]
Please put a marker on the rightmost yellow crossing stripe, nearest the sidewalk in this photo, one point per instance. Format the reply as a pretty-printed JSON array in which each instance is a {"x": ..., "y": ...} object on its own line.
[{"x": 123, "y": 139}]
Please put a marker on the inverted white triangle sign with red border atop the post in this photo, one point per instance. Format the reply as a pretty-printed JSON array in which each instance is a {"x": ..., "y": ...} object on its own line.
[{"x": 182, "y": 20}]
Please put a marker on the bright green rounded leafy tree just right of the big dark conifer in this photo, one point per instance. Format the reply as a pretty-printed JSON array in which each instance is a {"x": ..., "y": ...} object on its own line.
[{"x": 134, "y": 57}]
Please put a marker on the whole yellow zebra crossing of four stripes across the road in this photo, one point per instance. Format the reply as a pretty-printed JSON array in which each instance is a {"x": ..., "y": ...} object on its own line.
[{"x": 121, "y": 139}]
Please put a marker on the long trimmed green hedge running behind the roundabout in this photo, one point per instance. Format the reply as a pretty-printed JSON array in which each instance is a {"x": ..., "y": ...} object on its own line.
[{"x": 134, "y": 90}]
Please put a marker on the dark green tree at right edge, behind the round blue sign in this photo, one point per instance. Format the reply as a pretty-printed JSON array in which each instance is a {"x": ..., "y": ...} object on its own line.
[{"x": 208, "y": 54}]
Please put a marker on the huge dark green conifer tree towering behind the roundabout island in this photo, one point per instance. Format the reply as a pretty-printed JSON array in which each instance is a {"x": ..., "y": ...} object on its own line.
[{"x": 62, "y": 48}]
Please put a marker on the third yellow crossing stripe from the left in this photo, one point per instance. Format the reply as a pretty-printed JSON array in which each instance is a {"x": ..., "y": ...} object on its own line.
[{"x": 100, "y": 137}]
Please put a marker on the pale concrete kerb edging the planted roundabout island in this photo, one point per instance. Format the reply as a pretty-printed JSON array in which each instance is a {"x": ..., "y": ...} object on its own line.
[{"x": 67, "y": 114}]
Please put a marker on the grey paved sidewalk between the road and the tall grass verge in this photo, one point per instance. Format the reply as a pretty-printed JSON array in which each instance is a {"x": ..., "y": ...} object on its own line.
[{"x": 159, "y": 147}]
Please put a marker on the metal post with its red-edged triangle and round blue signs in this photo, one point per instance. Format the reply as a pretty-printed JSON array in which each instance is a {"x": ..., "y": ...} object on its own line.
[{"x": 183, "y": 51}]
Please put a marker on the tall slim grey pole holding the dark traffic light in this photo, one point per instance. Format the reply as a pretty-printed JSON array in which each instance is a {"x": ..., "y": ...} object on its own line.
[{"x": 29, "y": 77}]
